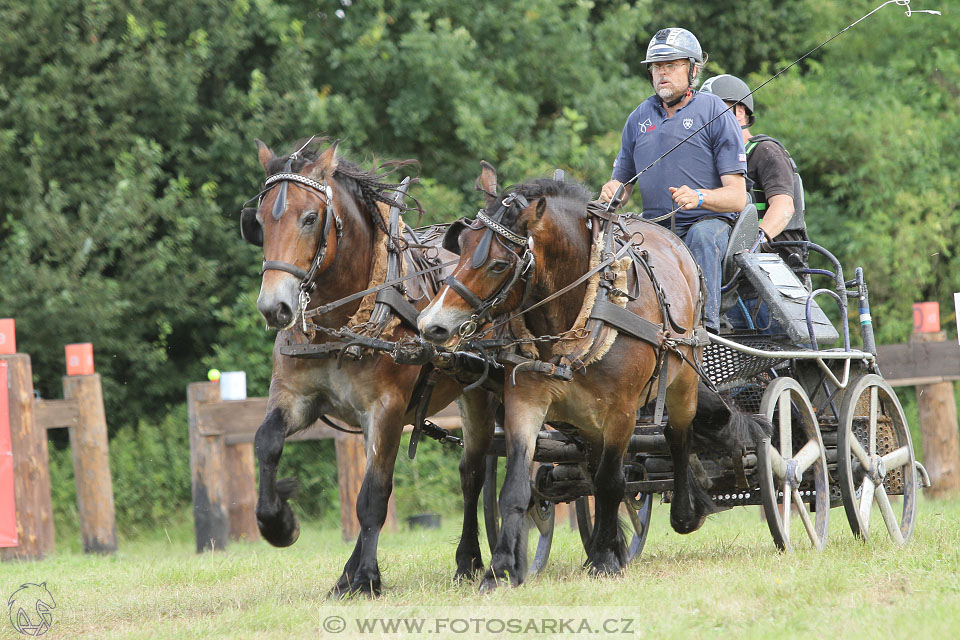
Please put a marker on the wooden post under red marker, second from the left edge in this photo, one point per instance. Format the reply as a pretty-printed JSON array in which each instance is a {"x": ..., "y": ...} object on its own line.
[{"x": 91, "y": 464}]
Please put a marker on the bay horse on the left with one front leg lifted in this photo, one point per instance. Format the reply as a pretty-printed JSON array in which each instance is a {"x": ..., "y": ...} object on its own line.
[{"x": 321, "y": 223}]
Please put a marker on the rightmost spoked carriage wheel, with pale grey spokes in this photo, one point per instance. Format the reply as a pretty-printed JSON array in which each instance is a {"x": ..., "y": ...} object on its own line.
[{"x": 875, "y": 458}]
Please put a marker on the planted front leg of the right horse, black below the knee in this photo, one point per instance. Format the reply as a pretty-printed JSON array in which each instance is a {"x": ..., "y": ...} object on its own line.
[{"x": 508, "y": 565}]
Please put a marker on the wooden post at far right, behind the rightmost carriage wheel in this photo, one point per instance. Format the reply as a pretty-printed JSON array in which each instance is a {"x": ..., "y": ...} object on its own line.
[{"x": 938, "y": 428}]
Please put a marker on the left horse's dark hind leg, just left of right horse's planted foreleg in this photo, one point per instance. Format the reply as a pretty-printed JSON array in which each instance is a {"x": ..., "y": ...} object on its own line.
[{"x": 477, "y": 410}]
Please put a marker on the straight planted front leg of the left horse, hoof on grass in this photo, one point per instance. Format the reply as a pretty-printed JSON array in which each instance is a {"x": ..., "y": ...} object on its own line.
[{"x": 361, "y": 573}]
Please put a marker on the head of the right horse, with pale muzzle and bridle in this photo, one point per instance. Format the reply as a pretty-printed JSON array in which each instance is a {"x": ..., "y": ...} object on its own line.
[{"x": 497, "y": 250}]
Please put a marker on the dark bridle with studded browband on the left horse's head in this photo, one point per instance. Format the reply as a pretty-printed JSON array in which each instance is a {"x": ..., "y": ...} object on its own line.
[{"x": 324, "y": 192}]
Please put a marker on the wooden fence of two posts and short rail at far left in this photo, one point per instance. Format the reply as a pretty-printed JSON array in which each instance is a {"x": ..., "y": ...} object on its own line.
[{"x": 82, "y": 412}]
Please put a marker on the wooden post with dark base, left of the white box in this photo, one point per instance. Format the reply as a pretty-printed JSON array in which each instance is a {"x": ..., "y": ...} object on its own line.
[{"x": 208, "y": 469}]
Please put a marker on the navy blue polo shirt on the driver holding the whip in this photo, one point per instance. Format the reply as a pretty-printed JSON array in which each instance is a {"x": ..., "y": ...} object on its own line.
[{"x": 698, "y": 163}]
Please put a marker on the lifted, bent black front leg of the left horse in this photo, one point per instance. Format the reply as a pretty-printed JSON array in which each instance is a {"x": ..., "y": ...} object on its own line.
[{"x": 278, "y": 525}]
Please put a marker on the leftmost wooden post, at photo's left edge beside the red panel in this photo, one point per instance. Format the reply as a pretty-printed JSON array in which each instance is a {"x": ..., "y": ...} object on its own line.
[{"x": 31, "y": 469}]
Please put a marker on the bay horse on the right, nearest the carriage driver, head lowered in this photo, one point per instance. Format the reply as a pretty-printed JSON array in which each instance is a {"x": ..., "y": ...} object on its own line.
[{"x": 530, "y": 242}]
